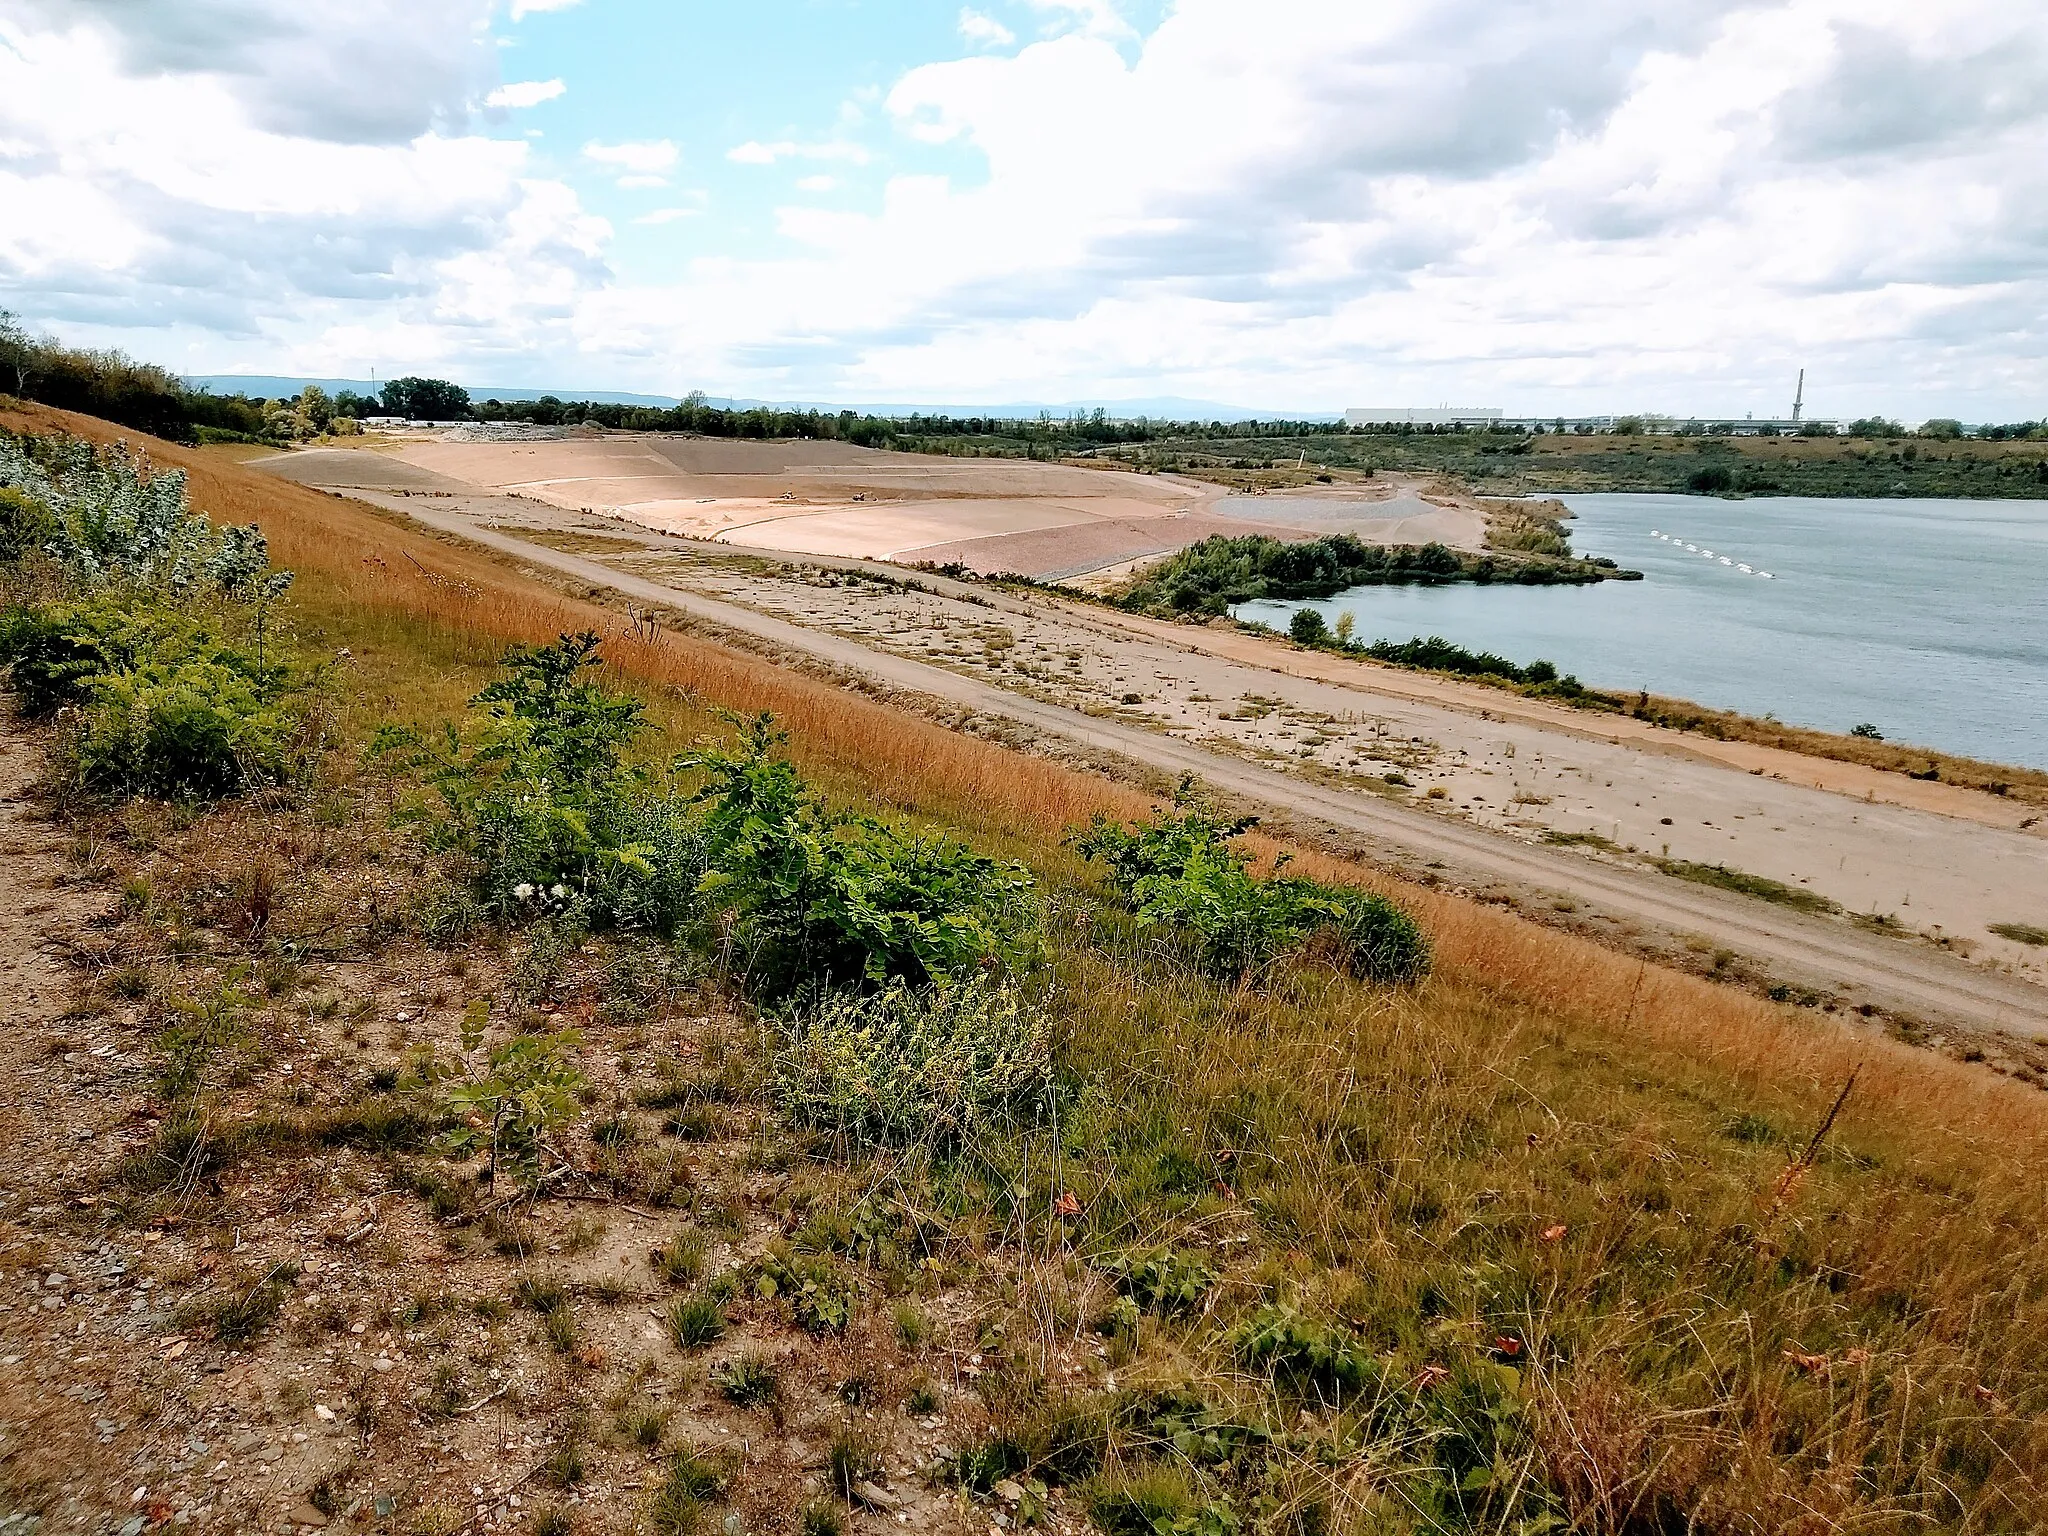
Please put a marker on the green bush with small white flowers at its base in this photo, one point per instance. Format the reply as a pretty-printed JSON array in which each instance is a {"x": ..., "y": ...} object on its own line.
[{"x": 542, "y": 808}]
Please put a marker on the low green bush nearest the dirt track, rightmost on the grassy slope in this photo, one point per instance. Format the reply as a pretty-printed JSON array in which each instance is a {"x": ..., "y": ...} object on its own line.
[{"x": 1185, "y": 878}]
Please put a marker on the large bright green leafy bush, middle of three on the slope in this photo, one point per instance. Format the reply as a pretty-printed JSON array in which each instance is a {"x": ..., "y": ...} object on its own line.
[{"x": 820, "y": 898}]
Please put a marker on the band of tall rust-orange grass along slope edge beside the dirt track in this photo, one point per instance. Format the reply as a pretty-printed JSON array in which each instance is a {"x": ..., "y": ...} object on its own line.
[{"x": 394, "y": 587}]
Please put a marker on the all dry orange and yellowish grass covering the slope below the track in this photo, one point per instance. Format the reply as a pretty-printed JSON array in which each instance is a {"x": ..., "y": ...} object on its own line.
[{"x": 1549, "y": 1154}]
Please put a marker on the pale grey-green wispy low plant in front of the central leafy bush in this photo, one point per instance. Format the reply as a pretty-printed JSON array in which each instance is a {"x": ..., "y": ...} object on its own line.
[{"x": 919, "y": 1066}]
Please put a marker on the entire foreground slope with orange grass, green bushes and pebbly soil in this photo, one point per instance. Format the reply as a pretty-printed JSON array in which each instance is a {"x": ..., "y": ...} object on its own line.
[{"x": 550, "y": 1082}]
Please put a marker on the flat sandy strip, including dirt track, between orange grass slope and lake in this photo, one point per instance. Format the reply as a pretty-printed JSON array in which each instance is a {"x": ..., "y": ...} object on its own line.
[{"x": 1529, "y": 804}]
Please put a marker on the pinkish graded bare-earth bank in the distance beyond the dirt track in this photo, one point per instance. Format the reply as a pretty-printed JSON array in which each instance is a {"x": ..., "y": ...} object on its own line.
[{"x": 835, "y": 499}]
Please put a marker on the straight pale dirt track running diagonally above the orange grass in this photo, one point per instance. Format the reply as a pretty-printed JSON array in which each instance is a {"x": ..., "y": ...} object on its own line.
[{"x": 1883, "y": 972}]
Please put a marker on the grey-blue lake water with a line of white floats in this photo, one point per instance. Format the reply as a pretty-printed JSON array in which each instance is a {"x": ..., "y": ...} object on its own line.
[{"x": 1928, "y": 620}]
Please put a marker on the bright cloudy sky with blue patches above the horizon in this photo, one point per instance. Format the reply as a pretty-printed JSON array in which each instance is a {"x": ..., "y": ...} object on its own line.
[{"x": 1549, "y": 206}]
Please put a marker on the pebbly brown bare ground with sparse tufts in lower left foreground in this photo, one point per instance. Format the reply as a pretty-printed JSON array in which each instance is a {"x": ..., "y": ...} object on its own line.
[{"x": 392, "y": 1379}]
